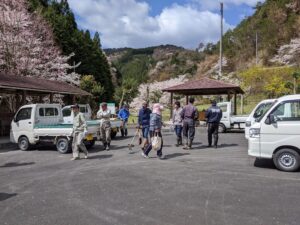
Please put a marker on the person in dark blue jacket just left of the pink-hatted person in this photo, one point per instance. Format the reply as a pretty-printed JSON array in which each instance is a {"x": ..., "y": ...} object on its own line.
[{"x": 144, "y": 123}]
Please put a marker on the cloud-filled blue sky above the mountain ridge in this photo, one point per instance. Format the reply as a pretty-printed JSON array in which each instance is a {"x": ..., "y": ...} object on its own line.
[{"x": 143, "y": 23}]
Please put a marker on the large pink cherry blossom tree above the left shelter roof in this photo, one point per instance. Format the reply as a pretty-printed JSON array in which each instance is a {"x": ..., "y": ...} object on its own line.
[{"x": 27, "y": 46}]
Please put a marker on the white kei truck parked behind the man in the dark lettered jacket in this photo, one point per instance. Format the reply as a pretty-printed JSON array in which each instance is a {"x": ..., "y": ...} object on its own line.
[{"x": 230, "y": 121}]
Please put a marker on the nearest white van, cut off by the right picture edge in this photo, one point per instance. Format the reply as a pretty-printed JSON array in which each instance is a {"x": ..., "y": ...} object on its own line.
[{"x": 276, "y": 135}]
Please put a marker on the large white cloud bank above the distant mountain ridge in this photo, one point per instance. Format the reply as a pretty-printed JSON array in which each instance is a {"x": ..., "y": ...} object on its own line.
[{"x": 124, "y": 23}]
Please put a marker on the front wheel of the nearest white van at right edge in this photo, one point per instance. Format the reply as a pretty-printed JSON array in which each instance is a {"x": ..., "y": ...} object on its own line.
[{"x": 287, "y": 160}]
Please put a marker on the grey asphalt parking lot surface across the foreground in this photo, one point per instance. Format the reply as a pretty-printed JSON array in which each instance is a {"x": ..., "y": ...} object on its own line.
[{"x": 200, "y": 186}]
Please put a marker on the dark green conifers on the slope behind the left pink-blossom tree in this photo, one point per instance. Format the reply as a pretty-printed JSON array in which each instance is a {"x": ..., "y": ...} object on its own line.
[{"x": 89, "y": 58}]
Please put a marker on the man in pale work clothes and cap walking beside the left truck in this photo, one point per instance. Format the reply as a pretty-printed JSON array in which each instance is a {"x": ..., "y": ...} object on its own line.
[{"x": 79, "y": 132}]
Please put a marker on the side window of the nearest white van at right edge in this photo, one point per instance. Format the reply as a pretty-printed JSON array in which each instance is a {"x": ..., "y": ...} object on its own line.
[{"x": 288, "y": 111}]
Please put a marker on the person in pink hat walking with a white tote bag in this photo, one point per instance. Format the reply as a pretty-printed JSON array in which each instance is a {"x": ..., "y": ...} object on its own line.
[{"x": 155, "y": 128}]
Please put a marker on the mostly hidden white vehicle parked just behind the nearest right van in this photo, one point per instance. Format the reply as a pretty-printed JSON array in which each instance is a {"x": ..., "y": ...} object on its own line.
[{"x": 257, "y": 112}]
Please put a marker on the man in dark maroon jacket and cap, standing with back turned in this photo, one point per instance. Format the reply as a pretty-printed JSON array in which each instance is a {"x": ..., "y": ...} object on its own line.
[{"x": 189, "y": 114}]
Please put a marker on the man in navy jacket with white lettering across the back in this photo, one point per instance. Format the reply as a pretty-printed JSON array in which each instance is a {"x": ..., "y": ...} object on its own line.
[{"x": 213, "y": 115}]
